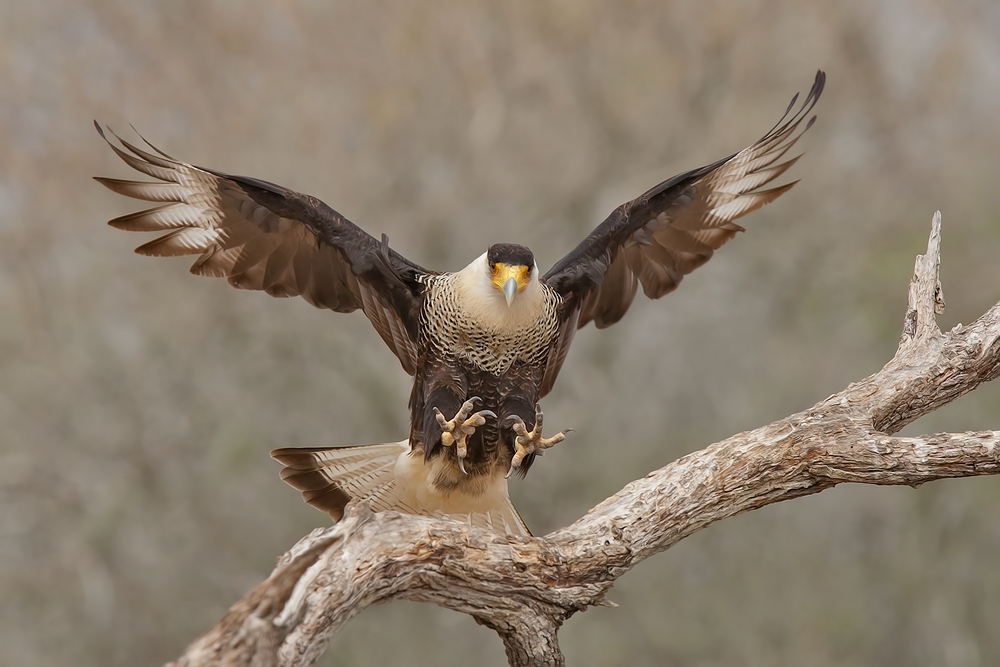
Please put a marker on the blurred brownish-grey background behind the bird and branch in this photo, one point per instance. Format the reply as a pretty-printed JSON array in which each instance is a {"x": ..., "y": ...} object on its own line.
[{"x": 138, "y": 403}]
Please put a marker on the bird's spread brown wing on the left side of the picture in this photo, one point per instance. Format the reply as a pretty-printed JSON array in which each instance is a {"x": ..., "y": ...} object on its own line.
[{"x": 262, "y": 236}]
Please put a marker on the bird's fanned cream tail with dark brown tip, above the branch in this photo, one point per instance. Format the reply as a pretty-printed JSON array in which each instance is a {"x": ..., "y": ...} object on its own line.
[{"x": 329, "y": 477}]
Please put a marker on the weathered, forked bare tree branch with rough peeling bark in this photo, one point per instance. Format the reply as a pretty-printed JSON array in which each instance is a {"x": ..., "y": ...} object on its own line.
[{"x": 525, "y": 588}]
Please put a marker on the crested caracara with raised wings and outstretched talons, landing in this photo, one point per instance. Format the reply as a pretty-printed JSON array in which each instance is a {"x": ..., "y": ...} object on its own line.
[{"x": 483, "y": 344}]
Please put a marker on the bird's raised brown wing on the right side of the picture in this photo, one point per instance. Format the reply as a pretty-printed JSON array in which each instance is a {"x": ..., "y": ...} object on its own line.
[{"x": 669, "y": 231}]
